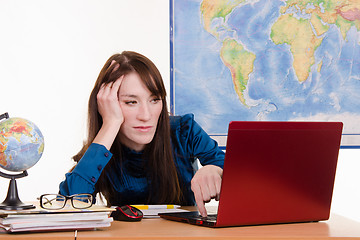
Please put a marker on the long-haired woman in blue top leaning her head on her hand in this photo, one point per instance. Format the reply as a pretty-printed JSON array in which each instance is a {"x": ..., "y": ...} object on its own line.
[{"x": 135, "y": 153}]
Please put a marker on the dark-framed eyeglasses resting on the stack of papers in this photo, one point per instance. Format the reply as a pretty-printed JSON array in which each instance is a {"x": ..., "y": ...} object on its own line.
[{"x": 58, "y": 201}]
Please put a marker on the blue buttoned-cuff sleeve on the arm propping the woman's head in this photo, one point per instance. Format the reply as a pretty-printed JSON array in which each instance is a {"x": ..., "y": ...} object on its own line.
[{"x": 87, "y": 171}]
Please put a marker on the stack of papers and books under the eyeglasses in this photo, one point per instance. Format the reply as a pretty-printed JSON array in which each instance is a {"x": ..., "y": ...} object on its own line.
[{"x": 39, "y": 220}]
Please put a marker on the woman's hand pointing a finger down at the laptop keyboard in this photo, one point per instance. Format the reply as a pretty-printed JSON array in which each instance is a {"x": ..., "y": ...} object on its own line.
[{"x": 206, "y": 185}]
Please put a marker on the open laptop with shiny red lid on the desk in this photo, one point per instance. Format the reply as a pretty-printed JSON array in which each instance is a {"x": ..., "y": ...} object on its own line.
[{"x": 274, "y": 172}]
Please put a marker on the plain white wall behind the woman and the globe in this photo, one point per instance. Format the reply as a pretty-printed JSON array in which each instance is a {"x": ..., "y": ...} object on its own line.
[{"x": 51, "y": 52}]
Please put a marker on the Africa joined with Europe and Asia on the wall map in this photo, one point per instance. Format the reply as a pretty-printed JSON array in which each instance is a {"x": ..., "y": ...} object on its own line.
[{"x": 298, "y": 31}]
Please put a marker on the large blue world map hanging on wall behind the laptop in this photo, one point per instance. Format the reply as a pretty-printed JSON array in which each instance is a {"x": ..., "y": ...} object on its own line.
[{"x": 274, "y": 60}]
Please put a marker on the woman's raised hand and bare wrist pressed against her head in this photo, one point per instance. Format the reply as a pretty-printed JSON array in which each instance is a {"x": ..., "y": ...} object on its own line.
[{"x": 110, "y": 111}]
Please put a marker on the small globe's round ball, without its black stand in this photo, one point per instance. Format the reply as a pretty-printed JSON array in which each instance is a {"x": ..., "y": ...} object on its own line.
[{"x": 21, "y": 144}]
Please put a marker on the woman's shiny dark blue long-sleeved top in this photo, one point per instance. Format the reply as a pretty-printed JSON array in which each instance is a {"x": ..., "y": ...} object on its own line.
[{"x": 189, "y": 141}]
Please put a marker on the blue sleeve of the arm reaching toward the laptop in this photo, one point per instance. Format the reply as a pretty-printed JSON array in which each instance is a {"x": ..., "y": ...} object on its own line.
[{"x": 199, "y": 144}]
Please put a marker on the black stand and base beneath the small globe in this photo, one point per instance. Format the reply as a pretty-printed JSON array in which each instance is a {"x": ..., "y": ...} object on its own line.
[{"x": 12, "y": 201}]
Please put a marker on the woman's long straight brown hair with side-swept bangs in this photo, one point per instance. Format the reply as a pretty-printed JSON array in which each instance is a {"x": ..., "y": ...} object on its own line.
[{"x": 163, "y": 178}]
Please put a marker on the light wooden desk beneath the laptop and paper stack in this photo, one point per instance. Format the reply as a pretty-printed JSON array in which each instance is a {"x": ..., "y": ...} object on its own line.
[{"x": 336, "y": 227}]
